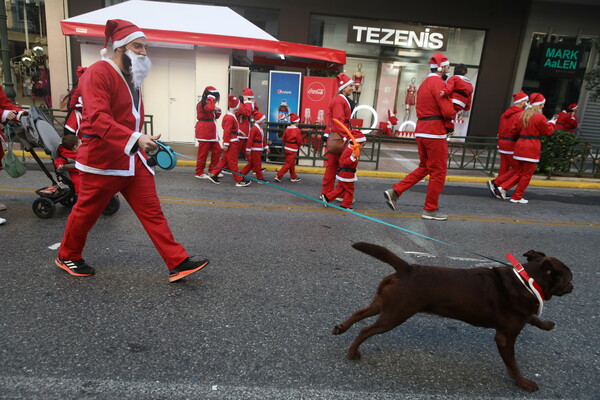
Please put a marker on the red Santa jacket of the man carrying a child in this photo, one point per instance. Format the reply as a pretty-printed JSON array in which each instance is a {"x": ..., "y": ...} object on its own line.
[{"x": 432, "y": 109}]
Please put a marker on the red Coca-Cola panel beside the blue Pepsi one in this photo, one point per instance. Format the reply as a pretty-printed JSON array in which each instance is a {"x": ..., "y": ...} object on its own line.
[{"x": 317, "y": 93}]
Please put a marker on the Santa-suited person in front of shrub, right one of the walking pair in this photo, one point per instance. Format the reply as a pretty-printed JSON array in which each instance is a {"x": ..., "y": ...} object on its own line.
[{"x": 528, "y": 149}]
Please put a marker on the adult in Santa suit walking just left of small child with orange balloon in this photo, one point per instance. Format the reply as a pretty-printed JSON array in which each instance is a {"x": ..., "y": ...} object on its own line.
[{"x": 340, "y": 108}]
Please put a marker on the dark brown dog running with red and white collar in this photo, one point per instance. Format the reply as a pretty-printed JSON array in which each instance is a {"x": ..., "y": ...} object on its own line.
[{"x": 487, "y": 297}]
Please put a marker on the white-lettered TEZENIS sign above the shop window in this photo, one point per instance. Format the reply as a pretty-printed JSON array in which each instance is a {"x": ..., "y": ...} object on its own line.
[{"x": 398, "y": 35}]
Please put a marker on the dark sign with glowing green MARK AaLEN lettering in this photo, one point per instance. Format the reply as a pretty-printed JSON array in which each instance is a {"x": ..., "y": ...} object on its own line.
[{"x": 562, "y": 60}]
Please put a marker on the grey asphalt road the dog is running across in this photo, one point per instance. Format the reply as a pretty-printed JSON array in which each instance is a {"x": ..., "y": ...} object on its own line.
[{"x": 256, "y": 324}]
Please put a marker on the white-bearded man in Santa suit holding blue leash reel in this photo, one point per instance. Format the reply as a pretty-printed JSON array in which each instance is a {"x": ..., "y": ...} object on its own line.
[{"x": 112, "y": 156}]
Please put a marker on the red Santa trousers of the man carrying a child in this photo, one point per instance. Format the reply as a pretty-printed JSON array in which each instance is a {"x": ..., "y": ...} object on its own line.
[{"x": 433, "y": 154}]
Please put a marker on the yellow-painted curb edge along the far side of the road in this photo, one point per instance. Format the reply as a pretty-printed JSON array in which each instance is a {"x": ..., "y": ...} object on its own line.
[{"x": 573, "y": 183}]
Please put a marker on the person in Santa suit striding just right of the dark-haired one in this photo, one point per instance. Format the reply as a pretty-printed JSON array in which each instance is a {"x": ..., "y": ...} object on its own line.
[{"x": 229, "y": 159}]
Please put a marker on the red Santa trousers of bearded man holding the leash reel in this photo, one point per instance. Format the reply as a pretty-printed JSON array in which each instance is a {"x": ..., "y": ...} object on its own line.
[{"x": 95, "y": 192}]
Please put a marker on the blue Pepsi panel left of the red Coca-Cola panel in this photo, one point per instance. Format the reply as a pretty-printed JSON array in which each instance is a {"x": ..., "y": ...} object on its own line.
[{"x": 284, "y": 98}]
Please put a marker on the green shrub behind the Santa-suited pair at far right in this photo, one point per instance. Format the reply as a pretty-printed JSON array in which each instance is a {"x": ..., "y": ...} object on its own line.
[{"x": 557, "y": 152}]
